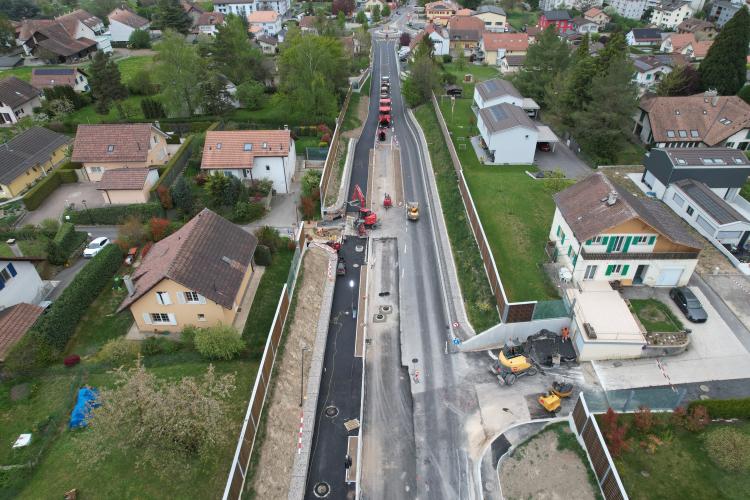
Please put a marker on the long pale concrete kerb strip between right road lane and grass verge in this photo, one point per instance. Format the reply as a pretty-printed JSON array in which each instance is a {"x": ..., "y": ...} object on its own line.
[{"x": 454, "y": 288}]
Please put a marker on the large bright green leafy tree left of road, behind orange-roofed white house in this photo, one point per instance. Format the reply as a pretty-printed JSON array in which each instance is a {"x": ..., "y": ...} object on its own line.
[{"x": 312, "y": 69}]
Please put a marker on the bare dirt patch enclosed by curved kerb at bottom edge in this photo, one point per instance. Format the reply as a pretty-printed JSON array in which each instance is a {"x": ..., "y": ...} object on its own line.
[{"x": 539, "y": 470}]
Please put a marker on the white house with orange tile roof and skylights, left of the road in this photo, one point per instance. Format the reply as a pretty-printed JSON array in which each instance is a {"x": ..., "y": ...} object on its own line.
[{"x": 252, "y": 155}]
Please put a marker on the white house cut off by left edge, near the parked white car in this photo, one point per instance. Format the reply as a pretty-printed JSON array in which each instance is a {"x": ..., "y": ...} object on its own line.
[{"x": 19, "y": 281}]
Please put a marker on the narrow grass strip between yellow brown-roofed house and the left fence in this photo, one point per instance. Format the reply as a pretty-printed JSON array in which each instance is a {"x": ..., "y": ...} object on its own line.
[{"x": 265, "y": 302}]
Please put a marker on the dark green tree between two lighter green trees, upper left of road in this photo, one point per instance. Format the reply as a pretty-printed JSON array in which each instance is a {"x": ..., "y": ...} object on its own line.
[{"x": 234, "y": 56}]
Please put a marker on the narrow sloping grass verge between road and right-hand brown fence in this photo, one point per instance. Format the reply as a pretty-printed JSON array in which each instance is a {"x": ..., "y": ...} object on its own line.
[{"x": 475, "y": 287}]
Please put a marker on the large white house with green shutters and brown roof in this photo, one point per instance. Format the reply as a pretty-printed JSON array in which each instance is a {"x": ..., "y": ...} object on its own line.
[{"x": 602, "y": 232}]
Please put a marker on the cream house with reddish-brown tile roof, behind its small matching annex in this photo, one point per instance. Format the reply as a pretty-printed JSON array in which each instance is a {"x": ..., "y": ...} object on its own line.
[{"x": 116, "y": 146}]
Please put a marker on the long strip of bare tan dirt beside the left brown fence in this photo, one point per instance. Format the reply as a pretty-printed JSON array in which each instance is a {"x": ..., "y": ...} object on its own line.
[{"x": 279, "y": 447}]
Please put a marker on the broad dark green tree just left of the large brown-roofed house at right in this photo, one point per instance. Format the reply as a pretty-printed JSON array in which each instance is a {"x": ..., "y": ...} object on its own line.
[{"x": 604, "y": 123}]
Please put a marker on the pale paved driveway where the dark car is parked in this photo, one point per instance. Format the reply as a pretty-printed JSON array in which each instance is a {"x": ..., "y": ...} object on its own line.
[{"x": 715, "y": 353}]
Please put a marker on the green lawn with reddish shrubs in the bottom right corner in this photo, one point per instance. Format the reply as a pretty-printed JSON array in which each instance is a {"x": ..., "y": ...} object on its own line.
[{"x": 679, "y": 467}]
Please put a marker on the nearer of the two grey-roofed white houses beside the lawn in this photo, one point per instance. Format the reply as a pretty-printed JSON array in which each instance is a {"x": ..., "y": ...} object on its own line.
[{"x": 508, "y": 134}]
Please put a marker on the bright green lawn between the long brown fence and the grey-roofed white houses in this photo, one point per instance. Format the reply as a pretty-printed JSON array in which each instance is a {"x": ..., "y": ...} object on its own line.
[{"x": 516, "y": 210}]
